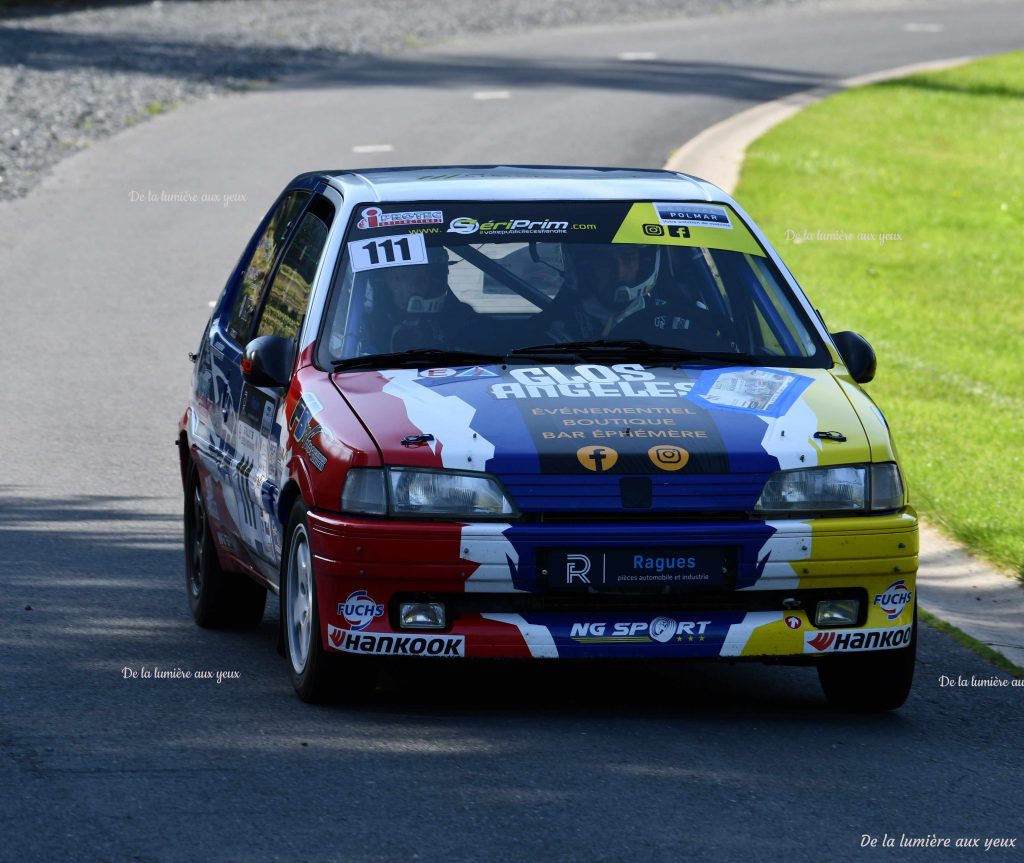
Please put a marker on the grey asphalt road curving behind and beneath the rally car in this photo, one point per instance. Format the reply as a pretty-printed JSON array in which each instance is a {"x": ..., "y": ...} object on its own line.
[{"x": 105, "y": 294}]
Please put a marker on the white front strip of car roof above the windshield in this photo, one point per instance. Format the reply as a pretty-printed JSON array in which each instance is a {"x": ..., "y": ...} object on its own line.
[{"x": 520, "y": 183}]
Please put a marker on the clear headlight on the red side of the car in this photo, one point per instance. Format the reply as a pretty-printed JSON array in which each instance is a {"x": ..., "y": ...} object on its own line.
[{"x": 422, "y": 493}]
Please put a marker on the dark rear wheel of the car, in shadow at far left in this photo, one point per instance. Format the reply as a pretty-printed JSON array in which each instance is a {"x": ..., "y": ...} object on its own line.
[{"x": 218, "y": 599}]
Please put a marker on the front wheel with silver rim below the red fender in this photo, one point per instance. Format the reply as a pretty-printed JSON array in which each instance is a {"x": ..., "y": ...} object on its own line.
[{"x": 319, "y": 677}]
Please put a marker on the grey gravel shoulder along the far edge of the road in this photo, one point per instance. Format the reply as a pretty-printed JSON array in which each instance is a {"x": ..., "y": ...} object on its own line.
[{"x": 69, "y": 80}]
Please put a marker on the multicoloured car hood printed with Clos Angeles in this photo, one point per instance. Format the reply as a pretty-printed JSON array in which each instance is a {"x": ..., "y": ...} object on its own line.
[{"x": 593, "y": 437}]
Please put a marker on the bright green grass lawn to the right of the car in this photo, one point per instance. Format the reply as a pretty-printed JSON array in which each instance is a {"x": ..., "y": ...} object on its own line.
[{"x": 937, "y": 160}]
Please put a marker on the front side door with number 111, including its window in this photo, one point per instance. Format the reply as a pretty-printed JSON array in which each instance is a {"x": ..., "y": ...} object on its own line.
[{"x": 260, "y": 465}]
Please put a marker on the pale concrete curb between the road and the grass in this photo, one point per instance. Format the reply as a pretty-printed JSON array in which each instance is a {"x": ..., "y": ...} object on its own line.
[{"x": 960, "y": 589}]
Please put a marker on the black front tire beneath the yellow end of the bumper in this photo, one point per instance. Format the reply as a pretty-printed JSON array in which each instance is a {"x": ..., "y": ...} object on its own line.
[{"x": 873, "y": 682}]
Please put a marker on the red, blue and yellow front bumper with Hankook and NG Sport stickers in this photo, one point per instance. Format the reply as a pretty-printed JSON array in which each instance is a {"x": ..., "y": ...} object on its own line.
[{"x": 499, "y": 600}]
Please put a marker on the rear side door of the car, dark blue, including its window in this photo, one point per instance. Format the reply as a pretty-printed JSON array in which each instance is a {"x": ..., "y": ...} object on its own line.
[{"x": 219, "y": 381}]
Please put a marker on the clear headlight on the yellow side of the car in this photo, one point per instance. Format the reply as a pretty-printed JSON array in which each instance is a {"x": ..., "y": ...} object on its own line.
[{"x": 843, "y": 489}]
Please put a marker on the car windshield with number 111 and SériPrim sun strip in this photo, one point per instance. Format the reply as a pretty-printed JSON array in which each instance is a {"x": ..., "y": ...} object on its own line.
[{"x": 489, "y": 280}]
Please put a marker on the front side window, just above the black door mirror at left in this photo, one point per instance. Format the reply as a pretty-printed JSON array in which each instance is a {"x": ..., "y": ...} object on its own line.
[{"x": 286, "y": 304}]
